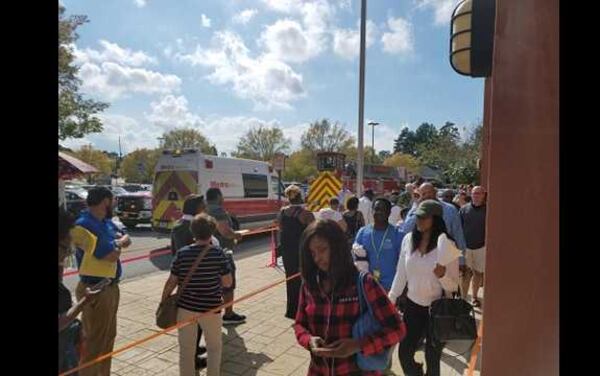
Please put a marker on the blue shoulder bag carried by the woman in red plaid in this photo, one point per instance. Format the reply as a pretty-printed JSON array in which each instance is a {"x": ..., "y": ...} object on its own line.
[{"x": 367, "y": 325}]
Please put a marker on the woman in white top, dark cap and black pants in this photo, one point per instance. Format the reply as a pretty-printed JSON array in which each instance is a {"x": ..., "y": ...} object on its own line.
[{"x": 428, "y": 264}]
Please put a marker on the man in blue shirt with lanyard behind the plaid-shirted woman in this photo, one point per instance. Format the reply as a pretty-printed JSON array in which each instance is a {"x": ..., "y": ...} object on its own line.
[{"x": 376, "y": 248}]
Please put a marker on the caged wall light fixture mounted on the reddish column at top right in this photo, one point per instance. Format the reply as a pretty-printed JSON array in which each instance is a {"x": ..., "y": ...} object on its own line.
[{"x": 472, "y": 37}]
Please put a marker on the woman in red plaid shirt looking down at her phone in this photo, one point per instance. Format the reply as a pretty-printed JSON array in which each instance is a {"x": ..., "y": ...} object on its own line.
[{"x": 329, "y": 305}]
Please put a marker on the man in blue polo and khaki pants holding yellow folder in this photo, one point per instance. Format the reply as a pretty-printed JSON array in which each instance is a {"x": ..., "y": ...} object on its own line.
[{"x": 99, "y": 242}]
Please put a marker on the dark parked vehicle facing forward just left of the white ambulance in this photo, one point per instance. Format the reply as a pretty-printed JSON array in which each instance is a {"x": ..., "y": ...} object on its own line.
[{"x": 134, "y": 208}]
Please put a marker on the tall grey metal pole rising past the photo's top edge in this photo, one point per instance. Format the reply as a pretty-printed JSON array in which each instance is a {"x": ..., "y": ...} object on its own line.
[{"x": 361, "y": 100}]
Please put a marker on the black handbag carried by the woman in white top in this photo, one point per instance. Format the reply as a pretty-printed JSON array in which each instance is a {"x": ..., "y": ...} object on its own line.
[{"x": 452, "y": 319}]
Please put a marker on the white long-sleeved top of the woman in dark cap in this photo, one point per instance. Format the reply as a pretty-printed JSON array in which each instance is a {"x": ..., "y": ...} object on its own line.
[{"x": 416, "y": 270}]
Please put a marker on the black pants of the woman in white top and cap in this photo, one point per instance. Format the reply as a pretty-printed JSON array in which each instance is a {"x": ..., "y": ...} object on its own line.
[{"x": 417, "y": 325}]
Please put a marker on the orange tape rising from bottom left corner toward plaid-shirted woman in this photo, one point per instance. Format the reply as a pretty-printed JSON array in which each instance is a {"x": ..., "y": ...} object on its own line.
[{"x": 176, "y": 326}]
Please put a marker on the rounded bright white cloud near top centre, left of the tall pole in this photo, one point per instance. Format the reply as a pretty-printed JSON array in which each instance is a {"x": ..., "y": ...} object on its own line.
[{"x": 287, "y": 40}]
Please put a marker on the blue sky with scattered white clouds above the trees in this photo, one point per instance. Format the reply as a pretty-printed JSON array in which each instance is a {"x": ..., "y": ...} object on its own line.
[{"x": 226, "y": 66}]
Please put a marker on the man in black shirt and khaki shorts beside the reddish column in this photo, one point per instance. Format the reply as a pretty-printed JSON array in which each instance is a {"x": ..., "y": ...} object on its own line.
[{"x": 472, "y": 218}]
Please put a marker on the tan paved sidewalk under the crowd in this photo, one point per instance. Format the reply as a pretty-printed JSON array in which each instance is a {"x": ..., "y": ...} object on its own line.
[{"x": 264, "y": 345}]
